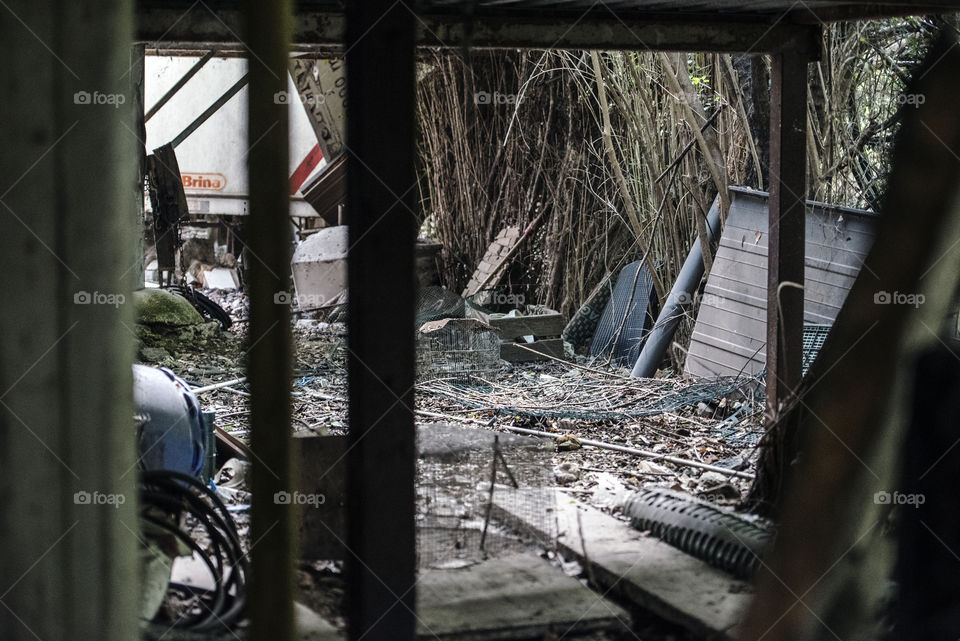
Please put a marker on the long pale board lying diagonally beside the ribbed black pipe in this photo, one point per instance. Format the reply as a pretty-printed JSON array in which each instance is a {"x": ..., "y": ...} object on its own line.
[{"x": 646, "y": 571}]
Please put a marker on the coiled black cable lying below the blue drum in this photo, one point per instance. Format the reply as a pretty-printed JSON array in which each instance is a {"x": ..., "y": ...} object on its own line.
[{"x": 176, "y": 493}]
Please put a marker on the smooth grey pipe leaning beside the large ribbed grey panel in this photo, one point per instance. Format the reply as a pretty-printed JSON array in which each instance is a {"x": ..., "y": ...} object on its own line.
[{"x": 680, "y": 299}]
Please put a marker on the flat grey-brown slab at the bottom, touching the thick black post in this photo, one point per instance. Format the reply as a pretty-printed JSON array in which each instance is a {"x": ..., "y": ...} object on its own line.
[{"x": 514, "y": 597}]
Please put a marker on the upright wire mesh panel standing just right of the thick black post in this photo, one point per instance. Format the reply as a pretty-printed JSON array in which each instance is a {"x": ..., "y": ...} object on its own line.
[{"x": 459, "y": 520}]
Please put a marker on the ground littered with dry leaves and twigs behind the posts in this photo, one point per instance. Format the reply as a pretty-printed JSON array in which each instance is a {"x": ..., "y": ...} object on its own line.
[{"x": 580, "y": 400}]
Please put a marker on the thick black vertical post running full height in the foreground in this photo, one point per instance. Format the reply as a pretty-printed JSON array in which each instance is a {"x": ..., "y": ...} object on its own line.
[{"x": 381, "y": 134}]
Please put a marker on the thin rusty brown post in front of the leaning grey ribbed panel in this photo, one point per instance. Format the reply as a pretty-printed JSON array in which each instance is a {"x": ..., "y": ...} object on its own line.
[{"x": 786, "y": 240}]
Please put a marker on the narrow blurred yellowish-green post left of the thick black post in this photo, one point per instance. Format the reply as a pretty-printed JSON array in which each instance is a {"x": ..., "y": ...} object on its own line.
[{"x": 270, "y": 599}]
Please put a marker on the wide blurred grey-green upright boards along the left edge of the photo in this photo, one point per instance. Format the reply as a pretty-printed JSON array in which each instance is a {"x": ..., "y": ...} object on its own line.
[{"x": 67, "y": 175}]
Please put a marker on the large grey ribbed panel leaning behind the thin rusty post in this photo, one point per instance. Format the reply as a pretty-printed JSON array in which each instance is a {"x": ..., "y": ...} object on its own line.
[{"x": 730, "y": 334}]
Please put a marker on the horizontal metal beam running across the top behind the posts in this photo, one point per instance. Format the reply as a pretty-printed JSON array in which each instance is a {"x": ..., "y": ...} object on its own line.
[{"x": 161, "y": 29}]
